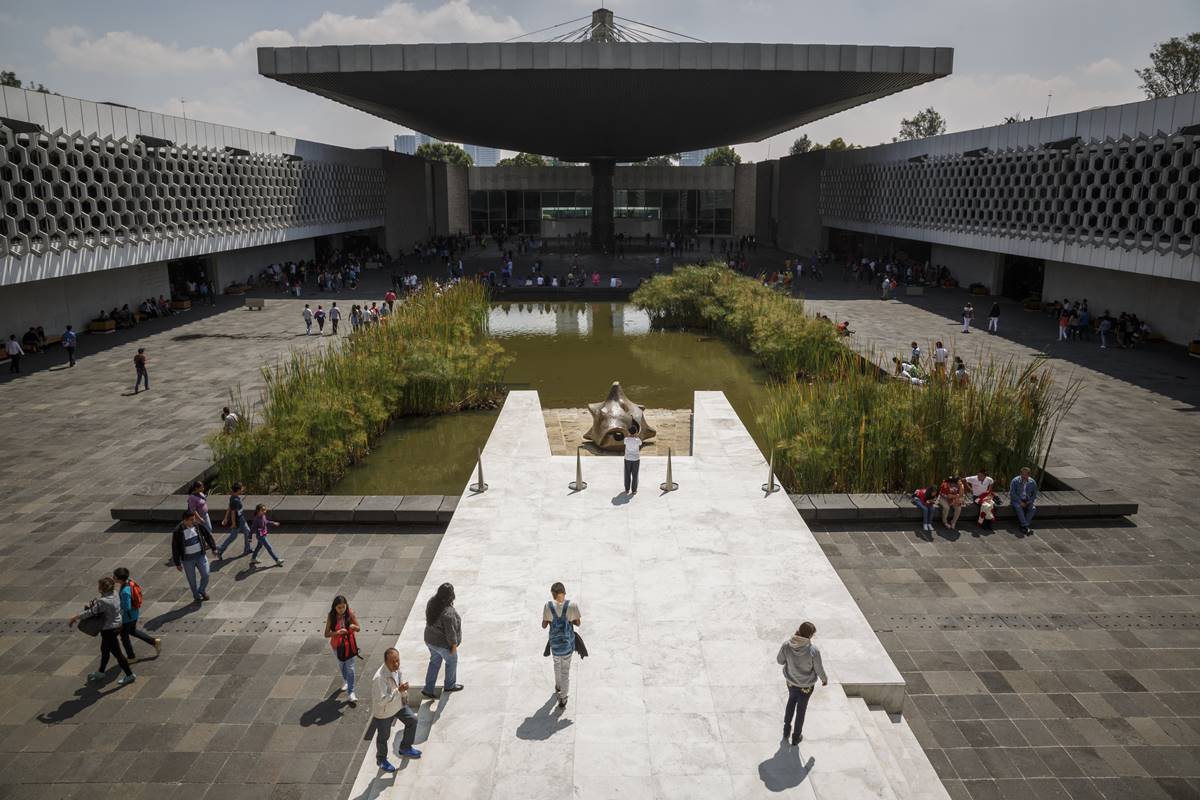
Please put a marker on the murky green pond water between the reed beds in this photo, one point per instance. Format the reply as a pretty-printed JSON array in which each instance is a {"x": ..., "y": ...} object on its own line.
[{"x": 571, "y": 353}]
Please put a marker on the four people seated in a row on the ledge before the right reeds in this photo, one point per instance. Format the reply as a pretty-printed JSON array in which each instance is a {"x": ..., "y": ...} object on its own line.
[{"x": 955, "y": 494}]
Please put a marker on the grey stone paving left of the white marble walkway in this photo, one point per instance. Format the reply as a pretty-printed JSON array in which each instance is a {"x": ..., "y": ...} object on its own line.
[{"x": 242, "y": 702}]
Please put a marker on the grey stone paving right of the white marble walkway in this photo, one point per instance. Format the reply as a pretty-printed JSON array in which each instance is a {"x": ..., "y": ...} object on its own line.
[{"x": 1066, "y": 665}]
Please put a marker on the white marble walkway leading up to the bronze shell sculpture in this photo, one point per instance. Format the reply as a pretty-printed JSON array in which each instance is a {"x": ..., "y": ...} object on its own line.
[{"x": 686, "y": 599}]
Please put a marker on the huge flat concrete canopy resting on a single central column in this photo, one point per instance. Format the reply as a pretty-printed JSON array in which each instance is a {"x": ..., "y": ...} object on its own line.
[{"x": 604, "y": 101}]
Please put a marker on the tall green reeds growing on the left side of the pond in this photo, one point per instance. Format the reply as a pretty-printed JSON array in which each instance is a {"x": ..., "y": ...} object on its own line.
[{"x": 321, "y": 413}]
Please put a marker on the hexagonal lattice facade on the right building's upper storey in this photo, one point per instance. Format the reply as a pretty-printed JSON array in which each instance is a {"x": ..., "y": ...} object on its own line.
[{"x": 1131, "y": 194}]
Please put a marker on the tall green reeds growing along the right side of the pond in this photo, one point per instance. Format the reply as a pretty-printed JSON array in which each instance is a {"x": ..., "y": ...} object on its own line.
[{"x": 842, "y": 425}]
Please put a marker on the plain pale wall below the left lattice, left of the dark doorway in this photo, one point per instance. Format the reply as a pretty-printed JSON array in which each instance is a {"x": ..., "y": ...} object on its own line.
[{"x": 75, "y": 300}]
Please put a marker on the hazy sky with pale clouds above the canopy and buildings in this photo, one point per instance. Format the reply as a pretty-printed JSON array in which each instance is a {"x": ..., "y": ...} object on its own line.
[{"x": 1011, "y": 57}]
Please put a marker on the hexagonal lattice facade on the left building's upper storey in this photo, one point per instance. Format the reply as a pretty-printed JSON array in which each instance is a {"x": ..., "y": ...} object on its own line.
[{"x": 67, "y": 193}]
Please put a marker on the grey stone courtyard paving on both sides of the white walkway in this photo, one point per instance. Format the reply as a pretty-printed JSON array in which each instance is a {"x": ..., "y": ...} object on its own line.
[{"x": 1063, "y": 666}]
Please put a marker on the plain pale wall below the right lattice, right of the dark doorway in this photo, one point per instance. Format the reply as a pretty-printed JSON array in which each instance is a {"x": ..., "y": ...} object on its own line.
[{"x": 1171, "y": 306}]
